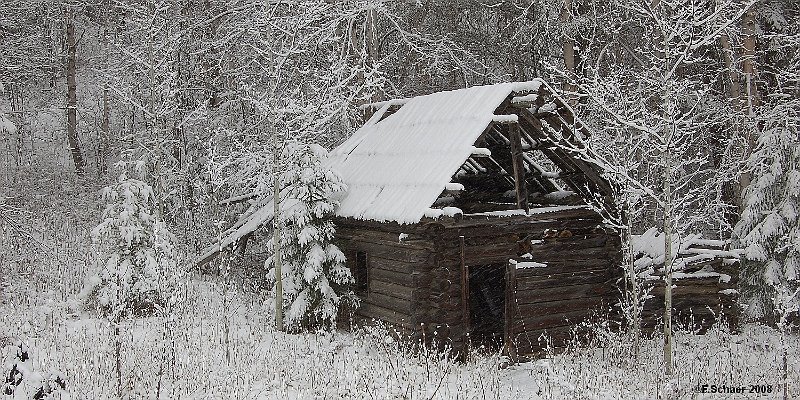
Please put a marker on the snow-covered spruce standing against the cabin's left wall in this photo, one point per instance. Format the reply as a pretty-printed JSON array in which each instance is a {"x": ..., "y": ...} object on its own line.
[{"x": 316, "y": 281}]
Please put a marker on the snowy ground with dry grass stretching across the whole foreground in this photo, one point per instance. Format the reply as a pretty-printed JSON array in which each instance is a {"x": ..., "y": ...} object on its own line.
[{"x": 219, "y": 342}]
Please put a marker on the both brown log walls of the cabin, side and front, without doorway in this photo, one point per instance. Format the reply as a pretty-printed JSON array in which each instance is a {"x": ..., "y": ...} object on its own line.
[{"x": 417, "y": 283}]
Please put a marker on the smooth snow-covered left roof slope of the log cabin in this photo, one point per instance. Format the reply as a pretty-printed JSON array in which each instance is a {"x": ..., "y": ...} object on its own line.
[{"x": 396, "y": 167}]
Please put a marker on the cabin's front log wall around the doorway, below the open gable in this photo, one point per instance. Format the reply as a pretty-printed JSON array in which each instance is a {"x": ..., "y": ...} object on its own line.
[{"x": 580, "y": 273}]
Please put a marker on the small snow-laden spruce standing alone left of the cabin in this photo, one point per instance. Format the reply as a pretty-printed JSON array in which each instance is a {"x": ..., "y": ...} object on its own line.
[{"x": 137, "y": 254}]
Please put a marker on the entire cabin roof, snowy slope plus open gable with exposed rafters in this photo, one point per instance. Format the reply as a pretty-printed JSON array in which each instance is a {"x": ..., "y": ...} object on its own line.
[{"x": 465, "y": 149}]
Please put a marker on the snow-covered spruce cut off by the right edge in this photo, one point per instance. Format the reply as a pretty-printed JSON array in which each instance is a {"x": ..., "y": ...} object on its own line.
[{"x": 769, "y": 228}]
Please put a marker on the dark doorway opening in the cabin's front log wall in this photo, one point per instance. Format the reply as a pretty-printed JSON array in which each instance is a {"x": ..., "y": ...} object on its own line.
[{"x": 487, "y": 305}]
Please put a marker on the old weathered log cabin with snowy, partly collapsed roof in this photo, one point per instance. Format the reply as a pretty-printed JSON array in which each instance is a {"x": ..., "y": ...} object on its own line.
[{"x": 477, "y": 216}]
